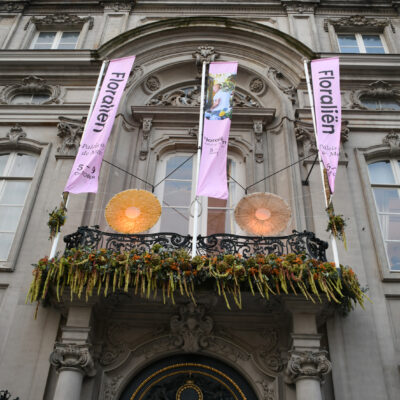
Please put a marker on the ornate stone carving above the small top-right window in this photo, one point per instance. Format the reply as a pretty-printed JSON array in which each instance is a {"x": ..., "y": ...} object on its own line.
[{"x": 356, "y": 22}]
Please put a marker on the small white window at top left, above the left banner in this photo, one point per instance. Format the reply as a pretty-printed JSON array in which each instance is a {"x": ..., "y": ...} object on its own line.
[{"x": 55, "y": 40}]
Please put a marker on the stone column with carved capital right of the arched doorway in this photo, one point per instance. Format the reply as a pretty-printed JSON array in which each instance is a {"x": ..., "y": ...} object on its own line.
[{"x": 307, "y": 364}]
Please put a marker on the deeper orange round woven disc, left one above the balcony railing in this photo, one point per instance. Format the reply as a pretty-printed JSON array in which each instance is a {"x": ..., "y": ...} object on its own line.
[{"x": 143, "y": 201}]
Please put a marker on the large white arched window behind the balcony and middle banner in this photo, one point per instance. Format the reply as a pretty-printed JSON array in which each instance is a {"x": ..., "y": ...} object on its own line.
[{"x": 177, "y": 193}]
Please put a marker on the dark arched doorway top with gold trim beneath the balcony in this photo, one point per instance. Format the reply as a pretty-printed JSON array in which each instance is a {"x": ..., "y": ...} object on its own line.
[{"x": 188, "y": 377}]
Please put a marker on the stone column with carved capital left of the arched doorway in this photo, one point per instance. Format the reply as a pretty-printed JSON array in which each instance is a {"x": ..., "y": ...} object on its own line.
[{"x": 72, "y": 356}]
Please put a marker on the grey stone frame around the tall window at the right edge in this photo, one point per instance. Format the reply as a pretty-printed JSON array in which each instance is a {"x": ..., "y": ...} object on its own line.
[{"x": 365, "y": 156}]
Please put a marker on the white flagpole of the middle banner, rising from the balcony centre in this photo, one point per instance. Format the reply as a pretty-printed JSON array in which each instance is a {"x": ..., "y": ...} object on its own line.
[{"x": 199, "y": 144}]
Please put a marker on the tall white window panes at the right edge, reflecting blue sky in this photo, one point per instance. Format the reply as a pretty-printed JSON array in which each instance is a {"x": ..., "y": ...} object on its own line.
[{"x": 385, "y": 181}]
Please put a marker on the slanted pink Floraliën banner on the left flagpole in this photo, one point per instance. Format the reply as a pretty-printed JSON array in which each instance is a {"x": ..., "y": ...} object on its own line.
[{"x": 85, "y": 171}]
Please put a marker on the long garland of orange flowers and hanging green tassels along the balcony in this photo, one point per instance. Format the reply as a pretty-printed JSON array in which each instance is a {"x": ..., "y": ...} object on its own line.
[{"x": 87, "y": 271}]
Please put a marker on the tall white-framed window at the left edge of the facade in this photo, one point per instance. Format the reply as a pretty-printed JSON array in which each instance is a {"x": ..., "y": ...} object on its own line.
[{"x": 16, "y": 172}]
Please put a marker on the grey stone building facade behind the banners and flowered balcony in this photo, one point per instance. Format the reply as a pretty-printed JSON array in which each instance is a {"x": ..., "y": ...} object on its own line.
[{"x": 287, "y": 348}]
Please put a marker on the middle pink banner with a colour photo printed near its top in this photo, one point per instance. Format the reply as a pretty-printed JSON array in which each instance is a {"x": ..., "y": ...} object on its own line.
[{"x": 217, "y": 122}]
